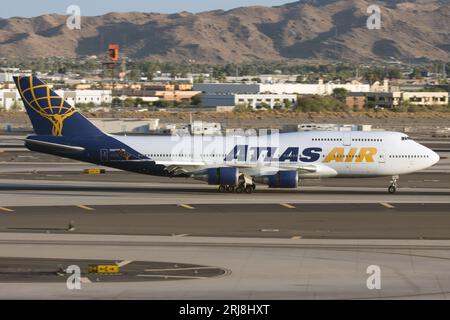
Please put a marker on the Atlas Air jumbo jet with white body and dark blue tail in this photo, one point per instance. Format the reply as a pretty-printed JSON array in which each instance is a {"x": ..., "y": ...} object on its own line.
[{"x": 233, "y": 163}]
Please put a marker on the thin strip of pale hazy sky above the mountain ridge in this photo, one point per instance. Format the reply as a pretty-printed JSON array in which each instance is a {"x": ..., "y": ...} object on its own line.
[{"x": 33, "y": 8}]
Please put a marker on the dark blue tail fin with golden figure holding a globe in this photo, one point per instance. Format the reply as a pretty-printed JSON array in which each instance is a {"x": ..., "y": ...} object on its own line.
[{"x": 49, "y": 113}]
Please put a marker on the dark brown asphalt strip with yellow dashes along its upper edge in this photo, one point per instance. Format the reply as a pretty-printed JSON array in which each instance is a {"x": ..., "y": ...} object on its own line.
[{"x": 308, "y": 221}]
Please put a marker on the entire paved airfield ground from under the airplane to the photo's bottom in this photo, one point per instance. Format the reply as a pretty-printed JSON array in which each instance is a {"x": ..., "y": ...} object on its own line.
[{"x": 312, "y": 243}]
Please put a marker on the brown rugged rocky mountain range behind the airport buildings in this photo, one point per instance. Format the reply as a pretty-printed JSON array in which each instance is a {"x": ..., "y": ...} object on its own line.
[{"x": 308, "y": 29}]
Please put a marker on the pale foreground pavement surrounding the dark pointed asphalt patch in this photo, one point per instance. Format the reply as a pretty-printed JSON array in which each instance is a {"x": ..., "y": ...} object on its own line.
[{"x": 258, "y": 268}]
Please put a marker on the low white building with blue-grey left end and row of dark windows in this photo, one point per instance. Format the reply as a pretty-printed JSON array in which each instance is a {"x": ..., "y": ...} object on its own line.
[{"x": 253, "y": 100}]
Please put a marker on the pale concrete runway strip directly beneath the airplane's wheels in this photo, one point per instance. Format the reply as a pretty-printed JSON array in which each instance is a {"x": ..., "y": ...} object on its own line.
[{"x": 48, "y": 193}]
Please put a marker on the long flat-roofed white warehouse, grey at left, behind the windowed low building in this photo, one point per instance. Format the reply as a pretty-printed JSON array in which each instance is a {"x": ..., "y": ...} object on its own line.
[{"x": 320, "y": 88}]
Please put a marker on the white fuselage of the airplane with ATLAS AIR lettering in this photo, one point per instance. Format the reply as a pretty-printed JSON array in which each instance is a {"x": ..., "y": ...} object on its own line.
[{"x": 330, "y": 153}]
